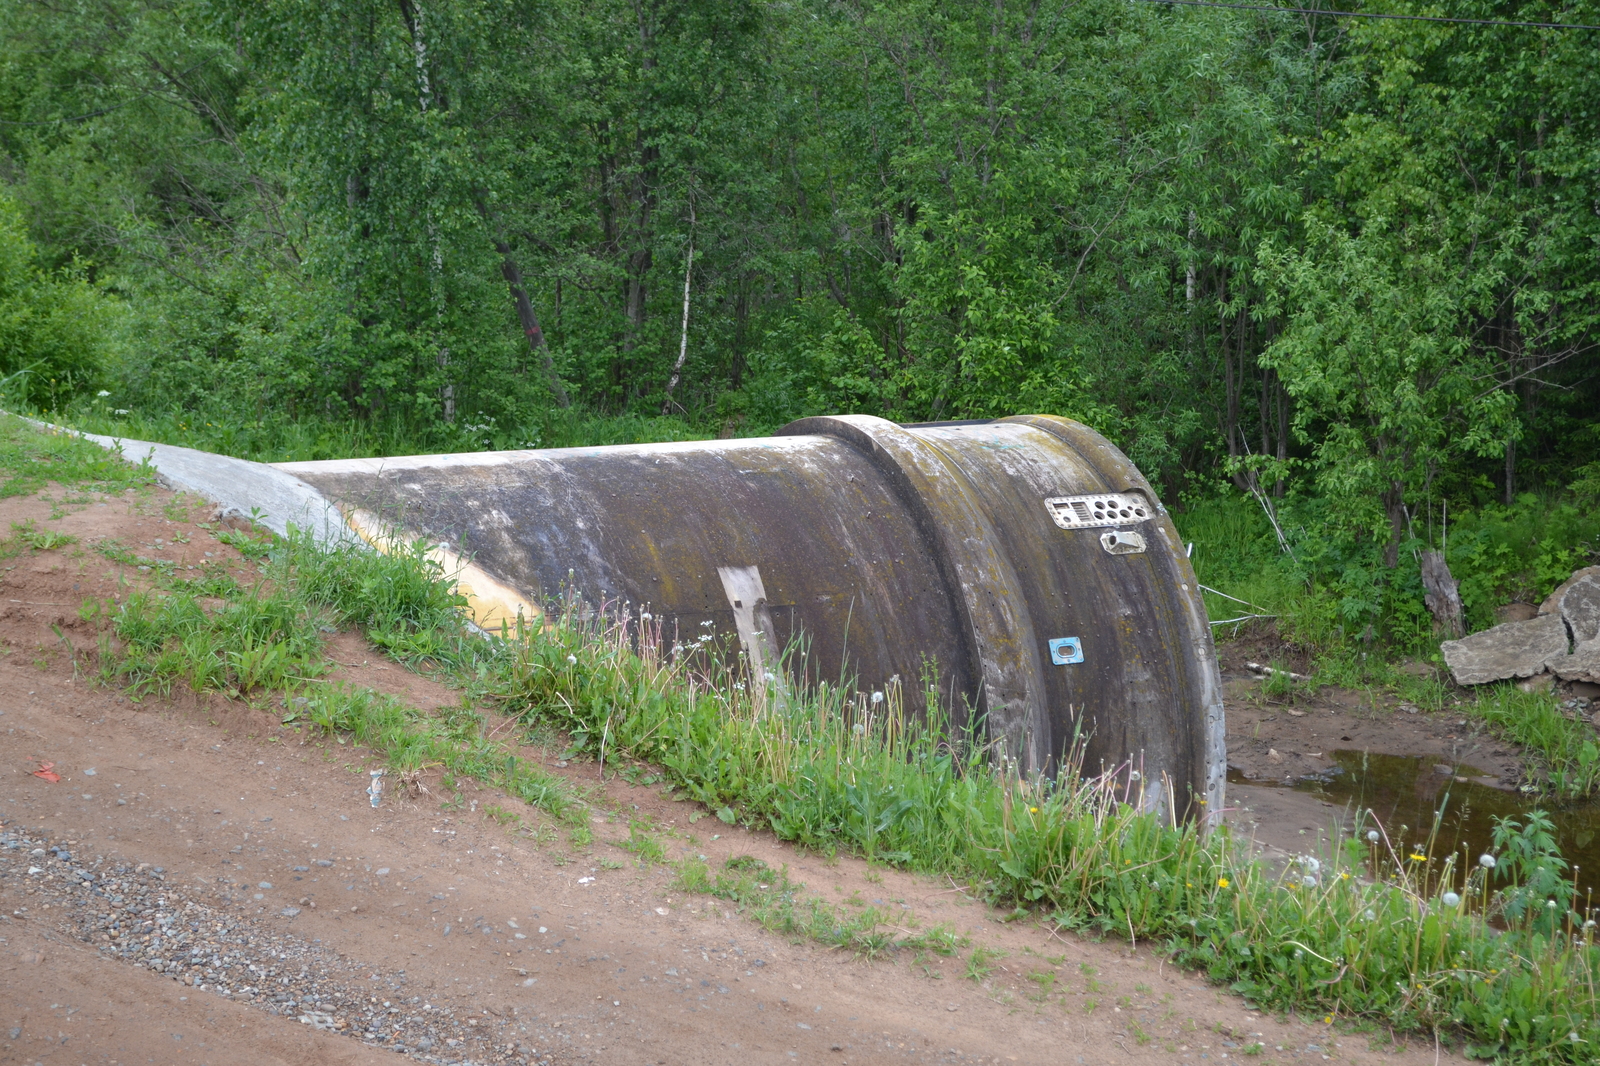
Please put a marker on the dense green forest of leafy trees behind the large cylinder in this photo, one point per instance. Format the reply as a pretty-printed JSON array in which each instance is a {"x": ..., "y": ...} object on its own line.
[{"x": 1346, "y": 265}]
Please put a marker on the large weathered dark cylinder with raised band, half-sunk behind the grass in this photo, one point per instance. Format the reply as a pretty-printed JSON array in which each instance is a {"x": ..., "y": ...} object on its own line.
[{"x": 1025, "y": 563}]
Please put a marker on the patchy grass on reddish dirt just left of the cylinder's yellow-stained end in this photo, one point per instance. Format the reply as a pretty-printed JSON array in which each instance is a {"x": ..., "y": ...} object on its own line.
[{"x": 215, "y": 635}]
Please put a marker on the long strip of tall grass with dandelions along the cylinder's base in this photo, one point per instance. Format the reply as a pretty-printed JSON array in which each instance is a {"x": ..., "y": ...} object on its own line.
[{"x": 1367, "y": 937}]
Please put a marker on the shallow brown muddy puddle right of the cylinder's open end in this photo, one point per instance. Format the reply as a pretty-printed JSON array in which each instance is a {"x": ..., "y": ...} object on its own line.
[{"x": 1404, "y": 793}]
